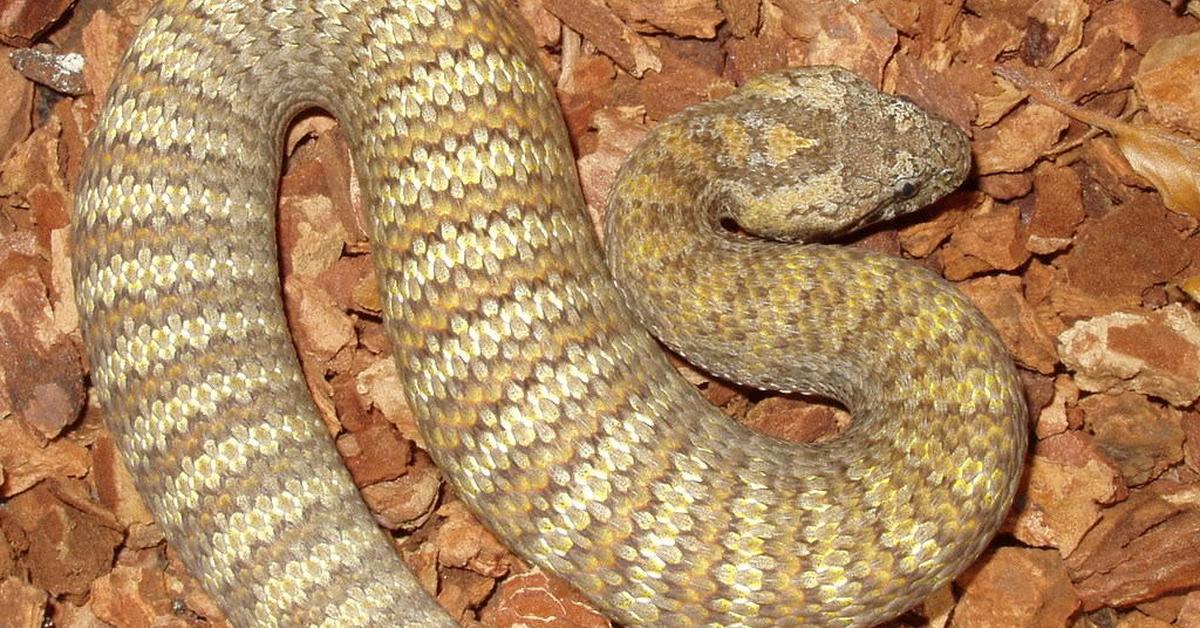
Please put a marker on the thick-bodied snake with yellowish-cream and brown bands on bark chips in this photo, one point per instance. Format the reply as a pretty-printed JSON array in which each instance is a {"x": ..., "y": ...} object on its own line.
[{"x": 525, "y": 352}]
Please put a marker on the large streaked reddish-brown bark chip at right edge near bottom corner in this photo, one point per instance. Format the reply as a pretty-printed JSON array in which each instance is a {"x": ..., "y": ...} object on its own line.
[{"x": 1141, "y": 549}]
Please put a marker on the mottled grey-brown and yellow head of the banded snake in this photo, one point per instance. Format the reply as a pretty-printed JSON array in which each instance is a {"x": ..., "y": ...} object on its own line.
[{"x": 811, "y": 154}]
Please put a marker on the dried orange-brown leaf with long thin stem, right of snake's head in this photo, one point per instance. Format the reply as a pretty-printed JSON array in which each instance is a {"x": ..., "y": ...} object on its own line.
[{"x": 1169, "y": 162}]
